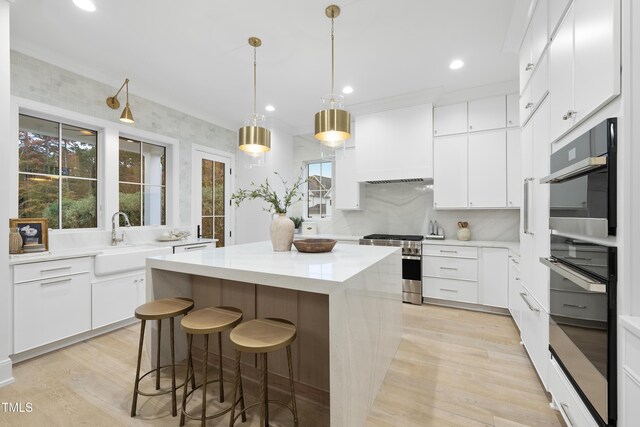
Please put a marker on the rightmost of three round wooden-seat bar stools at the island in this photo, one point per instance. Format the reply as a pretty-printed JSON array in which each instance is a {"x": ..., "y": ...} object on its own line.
[{"x": 262, "y": 336}]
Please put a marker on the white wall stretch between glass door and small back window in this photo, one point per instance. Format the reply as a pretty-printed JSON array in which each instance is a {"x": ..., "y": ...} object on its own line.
[{"x": 252, "y": 222}]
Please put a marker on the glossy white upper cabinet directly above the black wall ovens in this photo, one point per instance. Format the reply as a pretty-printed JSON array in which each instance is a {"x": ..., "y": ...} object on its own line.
[{"x": 584, "y": 63}]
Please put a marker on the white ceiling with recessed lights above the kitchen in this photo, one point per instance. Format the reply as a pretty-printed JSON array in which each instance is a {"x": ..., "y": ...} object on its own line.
[{"x": 193, "y": 55}]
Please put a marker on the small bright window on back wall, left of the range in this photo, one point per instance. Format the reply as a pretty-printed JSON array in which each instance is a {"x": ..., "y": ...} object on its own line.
[{"x": 319, "y": 186}]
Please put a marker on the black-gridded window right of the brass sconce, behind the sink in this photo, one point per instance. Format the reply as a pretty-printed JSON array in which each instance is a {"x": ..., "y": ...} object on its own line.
[{"x": 142, "y": 182}]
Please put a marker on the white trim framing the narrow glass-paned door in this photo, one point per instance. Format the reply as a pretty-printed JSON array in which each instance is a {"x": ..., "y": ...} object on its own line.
[{"x": 230, "y": 160}]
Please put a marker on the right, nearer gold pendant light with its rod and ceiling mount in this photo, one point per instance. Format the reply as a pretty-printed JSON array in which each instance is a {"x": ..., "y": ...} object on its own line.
[{"x": 333, "y": 125}]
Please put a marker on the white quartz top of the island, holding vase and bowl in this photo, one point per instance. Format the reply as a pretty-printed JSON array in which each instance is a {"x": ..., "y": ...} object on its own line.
[{"x": 258, "y": 263}]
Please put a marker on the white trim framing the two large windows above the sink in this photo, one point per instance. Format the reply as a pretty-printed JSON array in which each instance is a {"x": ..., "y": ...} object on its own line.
[{"x": 108, "y": 132}]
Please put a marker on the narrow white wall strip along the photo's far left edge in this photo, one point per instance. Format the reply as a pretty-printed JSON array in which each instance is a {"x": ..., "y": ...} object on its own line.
[{"x": 5, "y": 135}]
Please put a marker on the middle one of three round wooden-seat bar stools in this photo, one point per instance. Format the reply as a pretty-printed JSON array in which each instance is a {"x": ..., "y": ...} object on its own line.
[{"x": 204, "y": 322}]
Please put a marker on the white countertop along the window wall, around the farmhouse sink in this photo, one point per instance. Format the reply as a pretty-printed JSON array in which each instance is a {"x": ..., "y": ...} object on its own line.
[{"x": 88, "y": 252}]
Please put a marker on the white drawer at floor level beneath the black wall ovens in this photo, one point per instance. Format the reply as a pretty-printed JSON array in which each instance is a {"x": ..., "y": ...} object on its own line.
[{"x": 566, "y": 399}]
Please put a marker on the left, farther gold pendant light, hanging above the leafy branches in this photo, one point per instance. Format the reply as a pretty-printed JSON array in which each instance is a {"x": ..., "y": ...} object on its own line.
[{"x": 254, "y": 137}]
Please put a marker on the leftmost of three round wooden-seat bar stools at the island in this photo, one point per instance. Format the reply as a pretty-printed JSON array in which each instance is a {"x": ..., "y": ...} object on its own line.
[{"x": 166, "y": 308}]
